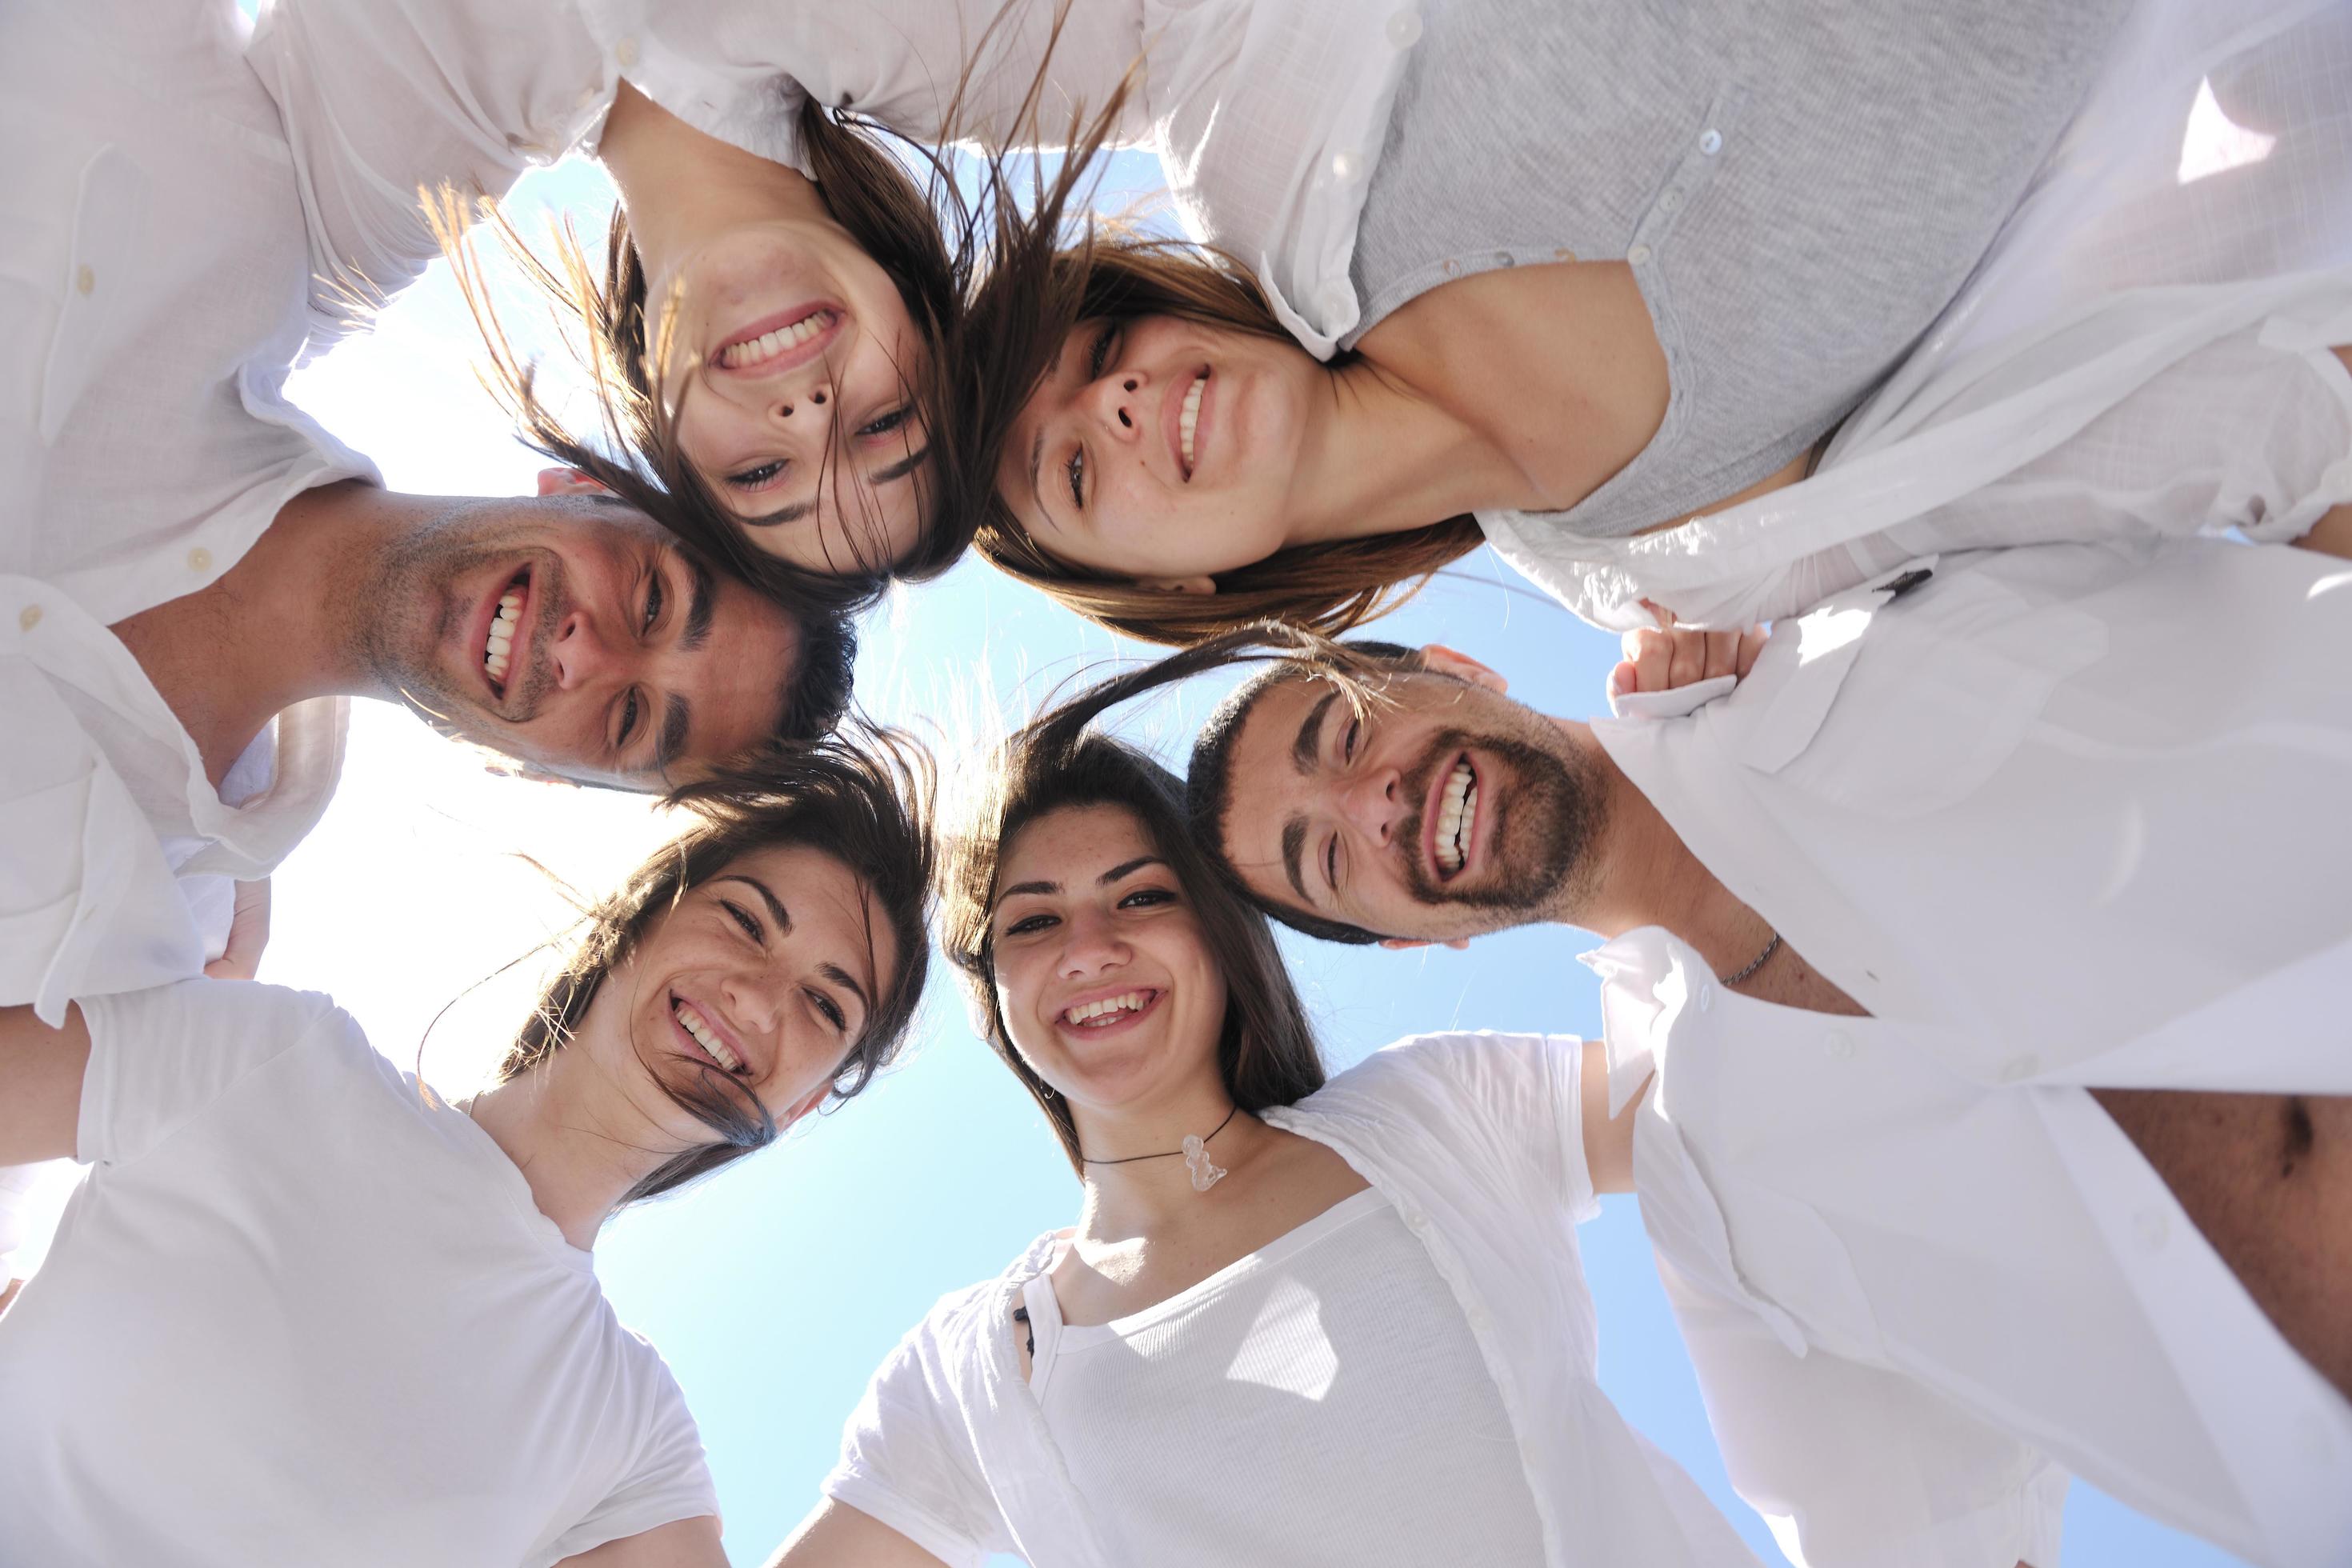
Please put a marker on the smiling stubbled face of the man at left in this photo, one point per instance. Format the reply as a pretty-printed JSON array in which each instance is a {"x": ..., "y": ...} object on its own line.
[{"x": 577, "y": 636}]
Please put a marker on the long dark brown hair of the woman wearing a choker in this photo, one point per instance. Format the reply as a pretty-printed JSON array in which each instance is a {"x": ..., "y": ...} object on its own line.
[{"x": 1264, "y": 1052}]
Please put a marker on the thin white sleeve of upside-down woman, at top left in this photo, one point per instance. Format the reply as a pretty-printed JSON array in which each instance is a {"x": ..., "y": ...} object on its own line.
[{"x": 385, "y": 98}]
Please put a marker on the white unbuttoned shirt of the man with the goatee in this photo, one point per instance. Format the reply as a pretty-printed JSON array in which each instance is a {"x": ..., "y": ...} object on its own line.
[{"x": 2059, "y": 817}]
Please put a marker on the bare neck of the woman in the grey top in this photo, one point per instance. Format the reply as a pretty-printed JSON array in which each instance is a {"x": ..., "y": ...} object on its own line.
[{"x": 1384, "y": 460}]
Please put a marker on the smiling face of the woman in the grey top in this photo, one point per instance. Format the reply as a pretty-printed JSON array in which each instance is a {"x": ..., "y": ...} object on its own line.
[{"x": 1161, "y": 450}]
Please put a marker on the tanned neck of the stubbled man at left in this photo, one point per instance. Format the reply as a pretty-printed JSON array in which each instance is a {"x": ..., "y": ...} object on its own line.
[{"x": 279, "y": 626}]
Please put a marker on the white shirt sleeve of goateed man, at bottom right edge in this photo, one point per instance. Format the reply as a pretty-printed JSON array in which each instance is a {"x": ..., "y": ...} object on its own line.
[{"x": 1862, "y": 1468}]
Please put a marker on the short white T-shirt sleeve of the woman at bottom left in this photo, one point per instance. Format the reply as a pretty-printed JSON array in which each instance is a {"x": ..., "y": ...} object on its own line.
[{"x": 163, "y": 1057}]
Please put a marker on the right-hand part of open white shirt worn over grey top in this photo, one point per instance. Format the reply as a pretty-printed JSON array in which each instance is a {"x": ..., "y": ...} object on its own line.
[{"x": 2158, "y": 264}]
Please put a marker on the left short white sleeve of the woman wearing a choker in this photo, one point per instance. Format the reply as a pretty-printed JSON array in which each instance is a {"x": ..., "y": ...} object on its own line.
[{"x": 907, "y": 1459}]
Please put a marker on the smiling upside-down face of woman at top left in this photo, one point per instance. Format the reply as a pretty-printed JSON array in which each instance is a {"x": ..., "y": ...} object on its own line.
[{"x": 791, "y": 366}]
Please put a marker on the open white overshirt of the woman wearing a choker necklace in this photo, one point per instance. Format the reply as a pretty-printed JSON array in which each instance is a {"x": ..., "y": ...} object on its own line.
[{"x": 1478, "y": 1144}]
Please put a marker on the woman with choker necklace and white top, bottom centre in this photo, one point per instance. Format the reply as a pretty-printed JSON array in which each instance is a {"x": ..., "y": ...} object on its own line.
[{"x": 1297, "y": 1320}]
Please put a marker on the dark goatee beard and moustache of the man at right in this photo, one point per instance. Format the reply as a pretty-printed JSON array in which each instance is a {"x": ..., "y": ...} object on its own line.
[{"x": 1549, "y": 817}]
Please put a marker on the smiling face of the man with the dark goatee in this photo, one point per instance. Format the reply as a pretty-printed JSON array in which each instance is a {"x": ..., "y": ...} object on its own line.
[{"x": 1443, "y": 812}]
